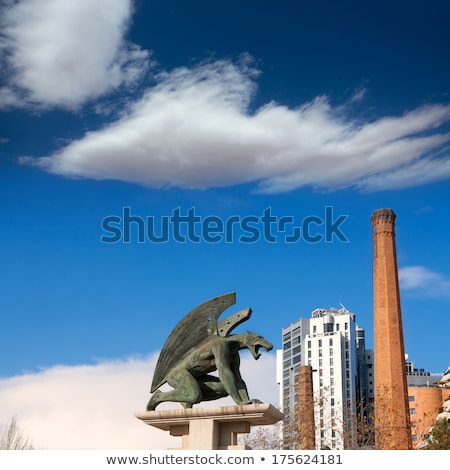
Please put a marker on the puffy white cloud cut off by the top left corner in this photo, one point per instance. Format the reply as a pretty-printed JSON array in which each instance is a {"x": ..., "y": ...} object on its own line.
[{"x": 62, "y": 53}]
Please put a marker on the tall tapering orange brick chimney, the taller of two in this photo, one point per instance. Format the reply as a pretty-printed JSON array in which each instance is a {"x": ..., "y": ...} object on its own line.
[{"x": 392, "y": 426}]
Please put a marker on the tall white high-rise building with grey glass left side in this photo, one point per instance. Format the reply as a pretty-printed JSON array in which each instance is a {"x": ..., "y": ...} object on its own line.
[{"x": 333, "y": 345}]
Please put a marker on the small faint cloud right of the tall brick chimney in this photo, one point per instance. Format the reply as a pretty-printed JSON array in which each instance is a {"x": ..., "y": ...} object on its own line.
[{"x": 424, "y": 281}]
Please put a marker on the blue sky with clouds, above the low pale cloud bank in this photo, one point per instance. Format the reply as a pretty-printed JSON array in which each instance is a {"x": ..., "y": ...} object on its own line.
[{"x": 230, "y": 109}]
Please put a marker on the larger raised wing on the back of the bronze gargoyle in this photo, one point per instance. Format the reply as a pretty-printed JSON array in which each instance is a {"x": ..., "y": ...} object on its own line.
[{"x": 197, "y": 325}]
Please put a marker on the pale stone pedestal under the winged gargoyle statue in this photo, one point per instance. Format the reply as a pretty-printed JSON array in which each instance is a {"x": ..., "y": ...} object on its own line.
[{"x": 211, "y": 428}]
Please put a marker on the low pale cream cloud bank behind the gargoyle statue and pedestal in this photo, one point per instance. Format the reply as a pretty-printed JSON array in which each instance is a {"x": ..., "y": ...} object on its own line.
[{"x": 92, "y": 407}]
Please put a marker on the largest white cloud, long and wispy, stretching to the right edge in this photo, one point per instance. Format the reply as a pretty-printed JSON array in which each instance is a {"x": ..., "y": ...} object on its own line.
[{"x": 194, "y": 130}]
